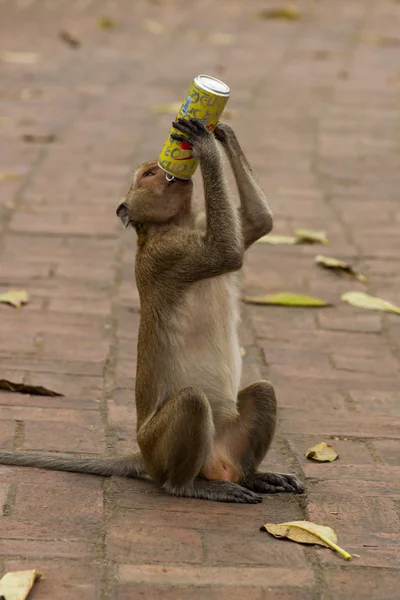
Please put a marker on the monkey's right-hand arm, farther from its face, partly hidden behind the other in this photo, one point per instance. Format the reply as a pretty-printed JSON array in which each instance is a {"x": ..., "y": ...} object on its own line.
[{"x": 255, "y": 213}]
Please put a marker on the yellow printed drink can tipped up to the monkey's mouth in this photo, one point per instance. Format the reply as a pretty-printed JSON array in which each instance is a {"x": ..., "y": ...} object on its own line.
[{"x": 205, "y": 101}]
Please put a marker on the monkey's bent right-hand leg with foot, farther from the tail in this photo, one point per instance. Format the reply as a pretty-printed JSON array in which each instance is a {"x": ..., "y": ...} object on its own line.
[{"x": 249, "y": 442}]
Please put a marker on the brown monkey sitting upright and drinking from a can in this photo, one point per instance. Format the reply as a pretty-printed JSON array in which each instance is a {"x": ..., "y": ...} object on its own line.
[{"x": 198, "y": 434}]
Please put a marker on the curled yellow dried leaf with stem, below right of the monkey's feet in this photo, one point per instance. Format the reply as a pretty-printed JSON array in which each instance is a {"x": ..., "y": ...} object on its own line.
[{"x": 305, "y": 532}]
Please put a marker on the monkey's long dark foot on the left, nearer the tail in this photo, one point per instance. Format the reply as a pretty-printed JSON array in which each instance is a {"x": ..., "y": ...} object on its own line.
[{"x": 218, "y": 491}]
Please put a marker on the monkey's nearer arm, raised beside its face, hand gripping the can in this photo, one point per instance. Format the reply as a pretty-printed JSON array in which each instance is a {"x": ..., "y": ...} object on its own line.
[{"x": 197, "y": 255}]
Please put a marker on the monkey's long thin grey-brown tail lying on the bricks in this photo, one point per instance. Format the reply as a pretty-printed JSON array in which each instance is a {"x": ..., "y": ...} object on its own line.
[{"x": 131, "y": 466}]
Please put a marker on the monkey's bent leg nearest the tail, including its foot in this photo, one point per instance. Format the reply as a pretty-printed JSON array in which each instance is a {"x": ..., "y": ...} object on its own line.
[{"x": 177, "y": 442}]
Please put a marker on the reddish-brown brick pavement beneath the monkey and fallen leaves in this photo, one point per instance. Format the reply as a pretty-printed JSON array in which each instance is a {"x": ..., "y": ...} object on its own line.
[{"x": 317, "y": 110}]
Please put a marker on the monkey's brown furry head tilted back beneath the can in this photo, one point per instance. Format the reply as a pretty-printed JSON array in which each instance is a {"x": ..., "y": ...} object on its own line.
[{"x": 153, "y": 199}]
